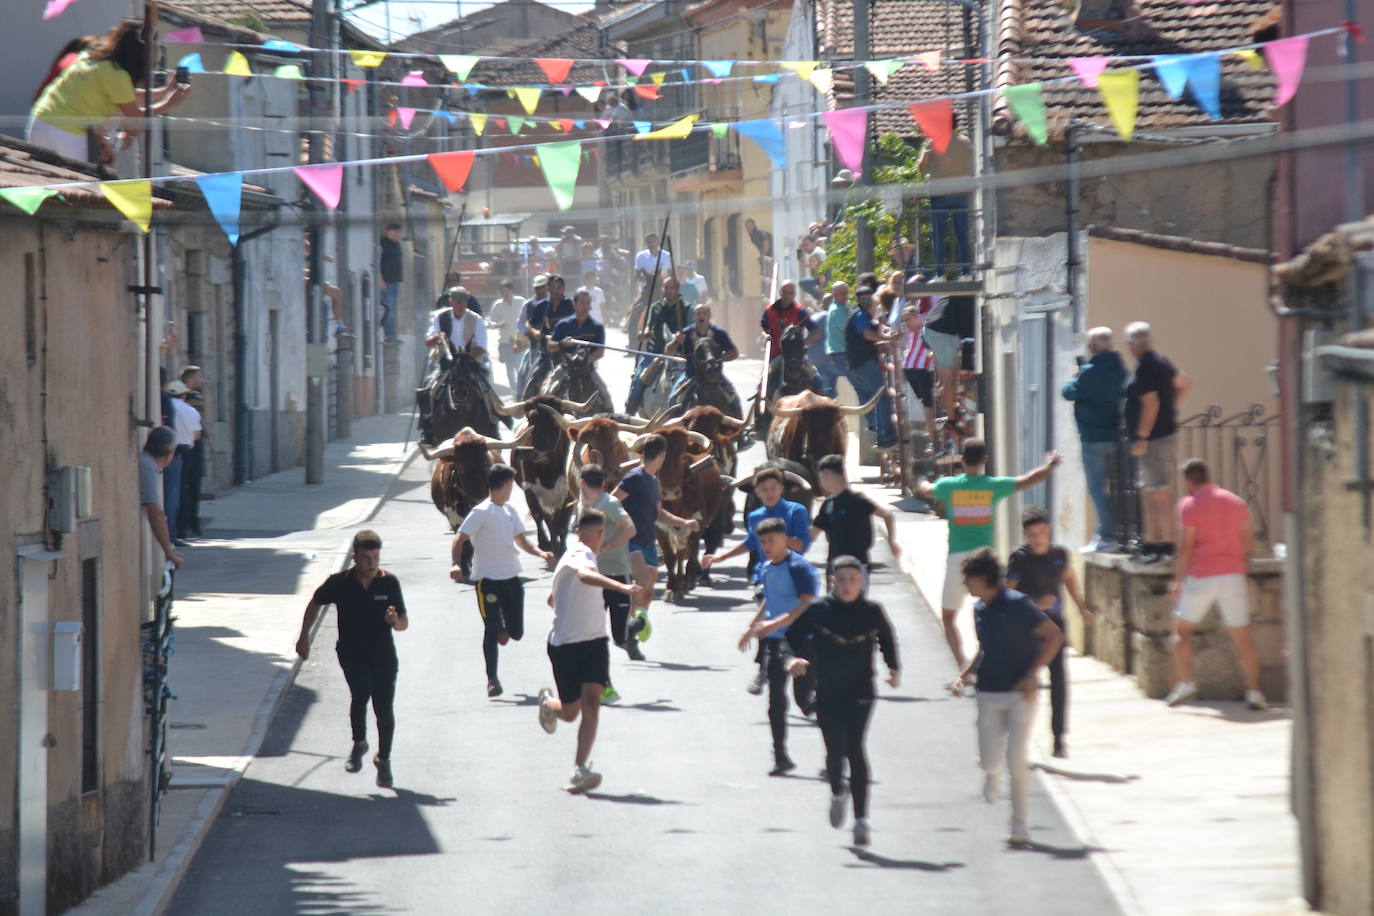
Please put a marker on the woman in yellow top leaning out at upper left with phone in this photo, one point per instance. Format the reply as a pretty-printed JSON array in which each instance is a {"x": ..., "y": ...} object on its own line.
[{"x": 97, "y": 89}]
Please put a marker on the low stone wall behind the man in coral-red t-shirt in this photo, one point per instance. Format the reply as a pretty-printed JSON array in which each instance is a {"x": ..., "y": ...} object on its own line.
[{"x": 1136, "y": 623}]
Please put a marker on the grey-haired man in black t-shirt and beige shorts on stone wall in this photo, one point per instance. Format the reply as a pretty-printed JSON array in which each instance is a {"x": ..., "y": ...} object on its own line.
[{"x": 1152, "y": 421}]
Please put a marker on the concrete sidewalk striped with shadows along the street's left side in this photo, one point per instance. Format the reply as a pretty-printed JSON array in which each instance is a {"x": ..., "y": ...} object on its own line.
[{"x": 238, "y": 612}]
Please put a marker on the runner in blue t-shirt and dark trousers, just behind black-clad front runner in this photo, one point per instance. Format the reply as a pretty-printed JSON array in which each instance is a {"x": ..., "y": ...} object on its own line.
[{"x": 789, "y": 584}]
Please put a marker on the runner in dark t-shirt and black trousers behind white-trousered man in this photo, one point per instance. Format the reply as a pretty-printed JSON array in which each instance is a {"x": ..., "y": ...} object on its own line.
[{"x": 1039, "y": 569}]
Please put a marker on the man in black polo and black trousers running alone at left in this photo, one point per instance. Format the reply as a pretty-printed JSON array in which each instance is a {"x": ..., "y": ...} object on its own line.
[{"x": 370, "y": 606}]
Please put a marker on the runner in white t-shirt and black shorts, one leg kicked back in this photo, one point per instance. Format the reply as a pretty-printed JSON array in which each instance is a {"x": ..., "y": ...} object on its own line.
[{"x": 578, "y": 646}]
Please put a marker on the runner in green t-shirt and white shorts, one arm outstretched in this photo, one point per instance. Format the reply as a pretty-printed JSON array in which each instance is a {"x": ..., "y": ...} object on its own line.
[{"x": 971, "y": 501}]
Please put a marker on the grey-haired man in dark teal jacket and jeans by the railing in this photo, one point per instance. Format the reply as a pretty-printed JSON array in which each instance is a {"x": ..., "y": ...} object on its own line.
[{"x": 1099, "y": 393}]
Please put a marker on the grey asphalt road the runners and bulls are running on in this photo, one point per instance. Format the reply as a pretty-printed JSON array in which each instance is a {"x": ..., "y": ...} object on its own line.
[{"x": 688, "y": 819}]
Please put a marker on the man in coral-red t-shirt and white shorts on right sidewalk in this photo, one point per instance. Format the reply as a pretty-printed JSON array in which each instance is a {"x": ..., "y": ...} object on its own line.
[{"x": 1214, "y": 547}]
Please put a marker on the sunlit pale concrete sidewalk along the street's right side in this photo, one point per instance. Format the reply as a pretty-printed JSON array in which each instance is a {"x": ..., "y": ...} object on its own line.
[{"x": 1189, "y": 807}]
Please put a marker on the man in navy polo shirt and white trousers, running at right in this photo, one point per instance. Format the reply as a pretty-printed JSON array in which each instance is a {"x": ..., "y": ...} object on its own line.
[{"x": 1016, "y": 641}]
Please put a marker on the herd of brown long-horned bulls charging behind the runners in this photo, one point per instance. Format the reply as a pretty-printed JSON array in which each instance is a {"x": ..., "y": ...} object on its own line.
[{"x": 556, "y": 439}]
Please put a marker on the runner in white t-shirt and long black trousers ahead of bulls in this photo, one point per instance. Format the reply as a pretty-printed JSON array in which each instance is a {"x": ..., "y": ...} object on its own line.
[{"x": 495, "y": 531}]
